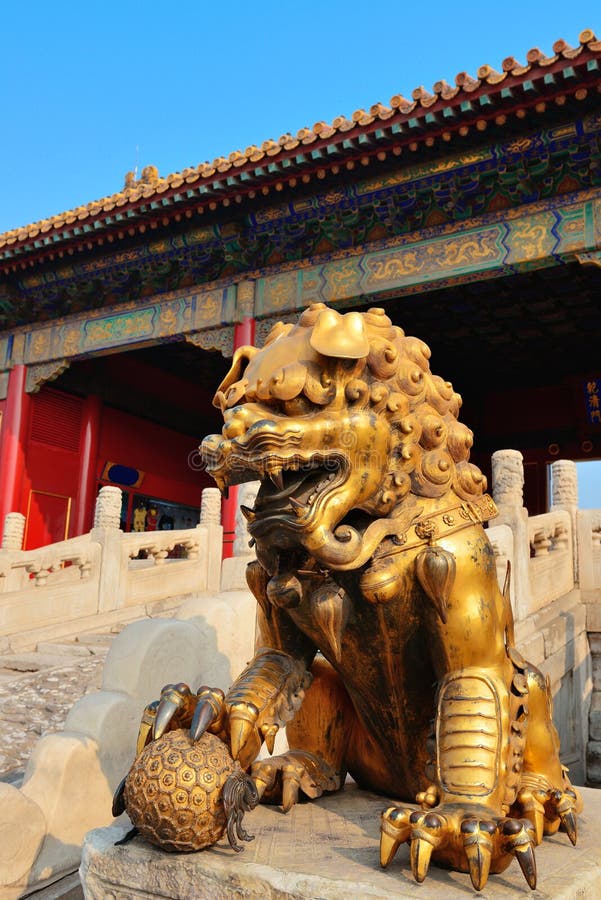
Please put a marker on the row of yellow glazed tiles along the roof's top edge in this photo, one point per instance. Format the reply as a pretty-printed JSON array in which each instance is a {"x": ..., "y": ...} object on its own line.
[{"x": 209, "y": 176}]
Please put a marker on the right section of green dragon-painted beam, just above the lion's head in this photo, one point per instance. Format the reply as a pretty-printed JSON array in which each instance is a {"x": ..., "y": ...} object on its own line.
[{"x": 543, "y": 237}]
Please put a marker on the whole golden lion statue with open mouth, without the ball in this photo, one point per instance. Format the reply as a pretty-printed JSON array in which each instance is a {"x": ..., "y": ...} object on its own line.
[{"x": 384, "y": 642}]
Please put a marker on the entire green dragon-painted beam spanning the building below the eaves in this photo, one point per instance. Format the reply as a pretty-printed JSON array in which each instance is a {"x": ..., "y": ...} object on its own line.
[{"x": 546, "y": 234}]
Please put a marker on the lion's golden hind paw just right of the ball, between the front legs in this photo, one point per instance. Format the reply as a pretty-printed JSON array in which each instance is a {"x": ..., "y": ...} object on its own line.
[{"x": 281, "y": 778}]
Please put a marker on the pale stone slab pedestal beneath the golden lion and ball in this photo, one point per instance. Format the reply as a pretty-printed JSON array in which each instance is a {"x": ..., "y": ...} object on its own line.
[{"x": 326, "y": 849}]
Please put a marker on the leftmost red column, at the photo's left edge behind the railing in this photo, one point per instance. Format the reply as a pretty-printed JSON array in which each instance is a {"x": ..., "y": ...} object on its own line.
[{"x": 12, "y": 443}]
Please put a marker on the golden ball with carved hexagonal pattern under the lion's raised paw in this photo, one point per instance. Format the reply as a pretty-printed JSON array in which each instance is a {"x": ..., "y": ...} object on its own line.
[{"x": 173, "y": 793}]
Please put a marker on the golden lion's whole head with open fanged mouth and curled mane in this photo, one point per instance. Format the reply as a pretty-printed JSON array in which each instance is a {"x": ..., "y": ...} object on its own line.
[{"x": 342, "y": 421}]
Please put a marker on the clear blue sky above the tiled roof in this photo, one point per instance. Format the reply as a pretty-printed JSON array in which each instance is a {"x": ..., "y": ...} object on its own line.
[{"x": 92, "y": 89}]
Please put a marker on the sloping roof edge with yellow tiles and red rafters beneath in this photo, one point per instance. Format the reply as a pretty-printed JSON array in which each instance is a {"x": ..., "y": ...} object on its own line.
[{"x": 429, "y": 118}]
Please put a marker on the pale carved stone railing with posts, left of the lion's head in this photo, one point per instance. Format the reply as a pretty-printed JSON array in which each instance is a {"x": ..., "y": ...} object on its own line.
[{"x": 61, "y": 588}]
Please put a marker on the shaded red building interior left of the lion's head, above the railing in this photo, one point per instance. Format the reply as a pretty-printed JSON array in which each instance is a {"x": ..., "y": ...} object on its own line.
[{"x": 149, "y": 408}]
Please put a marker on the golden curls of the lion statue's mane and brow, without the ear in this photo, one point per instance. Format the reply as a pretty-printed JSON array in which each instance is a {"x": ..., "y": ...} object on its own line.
[{"x": 431, "y": 447}]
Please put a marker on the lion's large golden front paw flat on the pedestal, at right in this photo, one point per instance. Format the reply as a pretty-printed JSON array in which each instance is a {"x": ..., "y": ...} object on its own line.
[{"x": 468, "y": 840}]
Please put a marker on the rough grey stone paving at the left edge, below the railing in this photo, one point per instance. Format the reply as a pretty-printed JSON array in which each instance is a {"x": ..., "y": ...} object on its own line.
[{"x": 34, "y": 703}]
